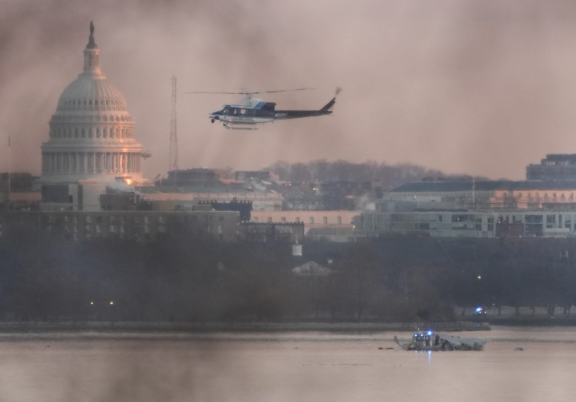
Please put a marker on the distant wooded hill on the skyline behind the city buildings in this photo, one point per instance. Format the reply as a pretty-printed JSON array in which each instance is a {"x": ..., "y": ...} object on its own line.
[{"x": 389, "y": 176}]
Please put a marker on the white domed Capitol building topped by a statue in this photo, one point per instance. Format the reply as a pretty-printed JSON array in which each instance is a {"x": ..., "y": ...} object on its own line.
[{"x": 92, "y": 144}]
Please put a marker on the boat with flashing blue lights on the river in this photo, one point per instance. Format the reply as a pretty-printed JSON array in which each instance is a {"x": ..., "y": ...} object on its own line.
[{"x": 439, "y": 341}]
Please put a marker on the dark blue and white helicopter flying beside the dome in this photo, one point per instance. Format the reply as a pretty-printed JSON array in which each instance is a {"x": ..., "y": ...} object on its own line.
[{"x": 250, "y": 111}]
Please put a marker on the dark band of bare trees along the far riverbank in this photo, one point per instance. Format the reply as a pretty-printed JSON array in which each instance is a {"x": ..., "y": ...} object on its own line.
[{"x": 45, "y": 278}]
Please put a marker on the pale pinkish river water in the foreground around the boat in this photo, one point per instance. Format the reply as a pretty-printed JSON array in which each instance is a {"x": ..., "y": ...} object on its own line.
[{"x": 284, "y": 367}]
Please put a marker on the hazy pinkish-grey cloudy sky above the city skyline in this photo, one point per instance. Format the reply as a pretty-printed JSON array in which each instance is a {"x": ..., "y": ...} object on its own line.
[{"x": 467, "y": 86}]
